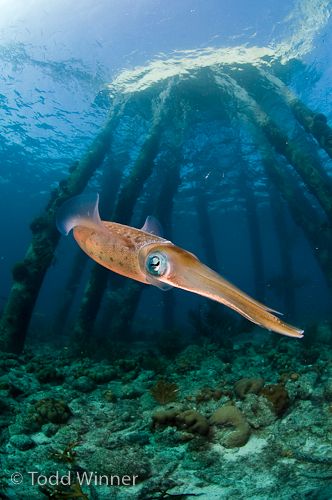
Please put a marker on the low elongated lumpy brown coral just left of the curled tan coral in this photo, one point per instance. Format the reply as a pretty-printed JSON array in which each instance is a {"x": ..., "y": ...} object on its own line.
[{"x": 189, "y": 420}]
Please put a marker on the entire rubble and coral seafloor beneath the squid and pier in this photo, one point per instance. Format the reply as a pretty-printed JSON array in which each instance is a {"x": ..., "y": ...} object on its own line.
[{"x": 246, "y": 419}]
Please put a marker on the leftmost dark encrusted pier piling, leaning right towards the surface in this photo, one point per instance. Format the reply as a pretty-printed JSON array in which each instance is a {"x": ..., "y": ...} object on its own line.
[{"x": 28, "y": 275}]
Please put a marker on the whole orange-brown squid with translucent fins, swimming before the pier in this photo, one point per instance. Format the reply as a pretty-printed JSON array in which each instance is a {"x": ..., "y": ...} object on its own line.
[{"x": 144, "y": 255}]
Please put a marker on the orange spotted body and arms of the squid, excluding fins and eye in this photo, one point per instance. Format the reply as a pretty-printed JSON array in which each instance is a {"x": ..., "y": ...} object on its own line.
[{"x": 125, "y": 250}]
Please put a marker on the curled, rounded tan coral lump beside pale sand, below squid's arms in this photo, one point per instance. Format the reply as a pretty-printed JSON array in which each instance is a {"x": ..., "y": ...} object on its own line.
[{"x": 229, "y": 415}]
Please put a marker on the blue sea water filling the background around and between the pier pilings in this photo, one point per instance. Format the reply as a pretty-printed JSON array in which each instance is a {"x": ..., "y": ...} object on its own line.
[{"x": 66, "y": 66}]
